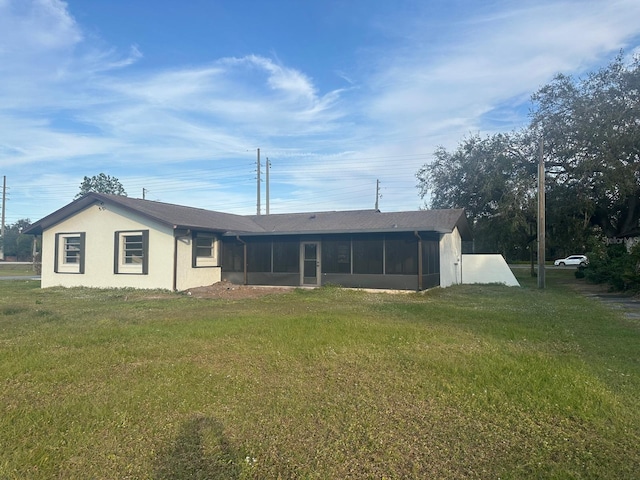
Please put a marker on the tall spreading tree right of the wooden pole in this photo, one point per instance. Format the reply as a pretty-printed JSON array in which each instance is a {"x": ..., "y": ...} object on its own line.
[{"x": 591, "y": 128}]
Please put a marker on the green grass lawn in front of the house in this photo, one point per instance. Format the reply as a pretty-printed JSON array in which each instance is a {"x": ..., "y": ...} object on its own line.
[{"x": 463, "y": 382}]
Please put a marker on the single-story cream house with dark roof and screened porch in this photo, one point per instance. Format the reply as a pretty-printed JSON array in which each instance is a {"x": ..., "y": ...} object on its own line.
[{"x": 115, "y": 241}]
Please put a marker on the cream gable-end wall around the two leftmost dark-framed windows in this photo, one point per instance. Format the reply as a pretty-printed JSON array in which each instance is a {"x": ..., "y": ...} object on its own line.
[{"x": 99, "y": 223}]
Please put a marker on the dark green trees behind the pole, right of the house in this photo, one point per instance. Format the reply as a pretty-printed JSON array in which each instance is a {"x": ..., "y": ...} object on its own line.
[{"x": 590, "y": 128}]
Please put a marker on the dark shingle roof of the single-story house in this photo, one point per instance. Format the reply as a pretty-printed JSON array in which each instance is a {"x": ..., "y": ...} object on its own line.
[{"x": 355, "y": 221}]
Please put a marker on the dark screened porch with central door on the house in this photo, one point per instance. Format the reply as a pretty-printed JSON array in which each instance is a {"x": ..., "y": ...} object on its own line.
[{"x": 404, "y": 260}]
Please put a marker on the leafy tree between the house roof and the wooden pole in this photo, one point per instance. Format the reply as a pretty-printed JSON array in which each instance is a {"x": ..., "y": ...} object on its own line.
[{"x": 493, "y": 179}]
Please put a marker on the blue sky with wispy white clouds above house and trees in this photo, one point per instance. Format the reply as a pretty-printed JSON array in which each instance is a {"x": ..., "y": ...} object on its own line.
[{"x": 176, "y": 96}]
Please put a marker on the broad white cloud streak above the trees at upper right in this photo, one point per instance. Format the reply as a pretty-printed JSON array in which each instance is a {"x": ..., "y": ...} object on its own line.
[{"x": 498, "y": 57}]
